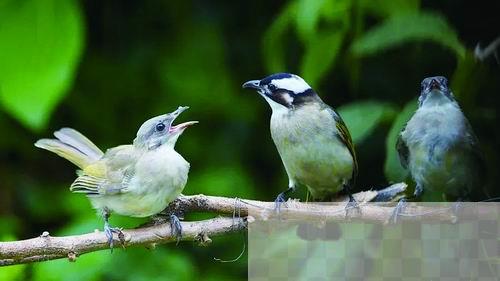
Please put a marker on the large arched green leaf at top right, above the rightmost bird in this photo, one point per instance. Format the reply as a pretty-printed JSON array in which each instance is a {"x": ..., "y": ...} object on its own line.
[{"x": 409, "y": 27}]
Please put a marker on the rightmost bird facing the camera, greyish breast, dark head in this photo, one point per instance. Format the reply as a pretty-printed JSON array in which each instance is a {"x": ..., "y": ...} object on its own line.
[{"x": 438, "y": 146}]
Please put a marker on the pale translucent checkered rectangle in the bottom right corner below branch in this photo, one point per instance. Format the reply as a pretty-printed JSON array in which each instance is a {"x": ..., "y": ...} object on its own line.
[{"x": 285, "y": 249}]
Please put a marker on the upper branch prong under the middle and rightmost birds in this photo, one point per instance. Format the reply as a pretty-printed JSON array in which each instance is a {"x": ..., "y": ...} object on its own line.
[{"x": 312, "y": 211}]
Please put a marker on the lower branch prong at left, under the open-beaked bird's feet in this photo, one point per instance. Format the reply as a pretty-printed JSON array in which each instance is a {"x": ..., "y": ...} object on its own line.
[{"x": 46, "y": 247}]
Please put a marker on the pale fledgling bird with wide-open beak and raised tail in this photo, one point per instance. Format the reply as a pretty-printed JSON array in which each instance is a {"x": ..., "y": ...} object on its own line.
[{"x": 136, "y": 180}]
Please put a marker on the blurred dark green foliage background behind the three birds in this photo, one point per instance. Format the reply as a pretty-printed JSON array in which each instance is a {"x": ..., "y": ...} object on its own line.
[{"x": 105, "y": 67}]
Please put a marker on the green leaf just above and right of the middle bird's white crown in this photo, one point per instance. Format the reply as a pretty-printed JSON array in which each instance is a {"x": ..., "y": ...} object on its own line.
[{"x": 320, "y": 55}]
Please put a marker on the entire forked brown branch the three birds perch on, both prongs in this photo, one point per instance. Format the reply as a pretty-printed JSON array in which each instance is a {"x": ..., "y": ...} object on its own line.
[{"x": 243, "y": 211}]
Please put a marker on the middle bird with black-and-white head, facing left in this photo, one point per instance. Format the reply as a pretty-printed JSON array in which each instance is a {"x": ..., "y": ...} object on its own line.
[{"x": 311, "y": 138}]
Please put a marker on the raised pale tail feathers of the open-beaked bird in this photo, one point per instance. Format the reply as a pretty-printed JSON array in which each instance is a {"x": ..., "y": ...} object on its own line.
[{"x": 73, "y": 146}]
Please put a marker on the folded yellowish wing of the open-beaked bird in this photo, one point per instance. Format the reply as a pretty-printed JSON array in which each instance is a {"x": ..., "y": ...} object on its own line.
[{"x": 108, "y": 176}]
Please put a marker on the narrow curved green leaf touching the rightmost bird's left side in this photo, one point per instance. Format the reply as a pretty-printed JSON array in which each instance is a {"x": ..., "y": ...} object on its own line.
[{"x": 394, "y": 172}]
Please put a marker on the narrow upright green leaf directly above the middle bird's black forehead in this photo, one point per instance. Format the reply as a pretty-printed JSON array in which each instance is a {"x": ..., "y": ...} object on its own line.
[{"x": 273, "y": 44}]
